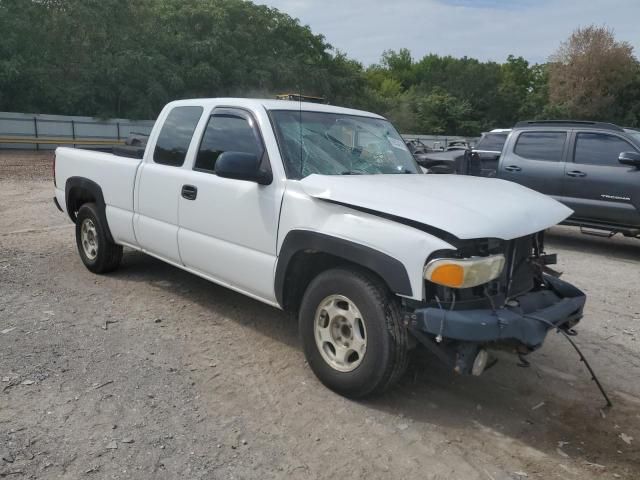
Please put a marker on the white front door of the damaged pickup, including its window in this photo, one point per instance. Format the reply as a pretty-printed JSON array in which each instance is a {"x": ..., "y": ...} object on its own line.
[{"x": 228, "y": 228}]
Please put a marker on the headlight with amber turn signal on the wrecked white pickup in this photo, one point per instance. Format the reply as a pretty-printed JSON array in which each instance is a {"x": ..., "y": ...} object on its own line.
[{"x": 464, "y": 272}]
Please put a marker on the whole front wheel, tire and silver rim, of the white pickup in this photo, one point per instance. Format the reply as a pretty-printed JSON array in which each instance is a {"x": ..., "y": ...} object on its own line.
[{"x": 352, "y": 333}]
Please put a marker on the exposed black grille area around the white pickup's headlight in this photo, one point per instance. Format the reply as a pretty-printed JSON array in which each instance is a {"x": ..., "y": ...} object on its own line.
[{"x": 522, "y": 273}]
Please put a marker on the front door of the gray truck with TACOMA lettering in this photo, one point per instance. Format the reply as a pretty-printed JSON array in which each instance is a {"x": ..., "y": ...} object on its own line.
[{"x": 596, "y": 185}]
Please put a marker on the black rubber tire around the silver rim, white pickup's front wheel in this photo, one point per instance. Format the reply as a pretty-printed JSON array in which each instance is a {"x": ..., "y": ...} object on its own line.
[{"x": 386, "y": 356}]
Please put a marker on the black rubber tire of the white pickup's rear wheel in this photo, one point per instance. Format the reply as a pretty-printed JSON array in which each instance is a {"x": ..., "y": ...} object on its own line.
[{"x": 108, "y": 254}]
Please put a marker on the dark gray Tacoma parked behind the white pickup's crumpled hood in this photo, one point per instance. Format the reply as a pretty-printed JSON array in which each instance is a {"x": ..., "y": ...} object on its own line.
[{"x": 592, "y": 167}]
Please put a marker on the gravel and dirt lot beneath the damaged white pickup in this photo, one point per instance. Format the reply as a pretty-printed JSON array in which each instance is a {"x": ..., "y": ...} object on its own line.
[{"x": 151, "y": 372}]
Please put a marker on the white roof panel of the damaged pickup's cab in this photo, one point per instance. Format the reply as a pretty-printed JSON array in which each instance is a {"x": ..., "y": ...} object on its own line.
[{"x": 257, "y": 103}]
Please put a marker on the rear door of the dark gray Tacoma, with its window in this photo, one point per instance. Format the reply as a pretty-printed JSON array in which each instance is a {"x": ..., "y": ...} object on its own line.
[{"x": 535, "y": 158}]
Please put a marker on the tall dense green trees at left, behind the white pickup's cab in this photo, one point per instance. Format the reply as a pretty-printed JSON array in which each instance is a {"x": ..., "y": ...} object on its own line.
[{"x": 123, "y": 58}]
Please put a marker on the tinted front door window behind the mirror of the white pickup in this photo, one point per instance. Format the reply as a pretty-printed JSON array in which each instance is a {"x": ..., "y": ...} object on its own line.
[{"x": 226, "y": 133}]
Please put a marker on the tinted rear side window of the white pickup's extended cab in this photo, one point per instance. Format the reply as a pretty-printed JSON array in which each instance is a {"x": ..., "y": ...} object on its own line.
[{"x": 175, "y": 136}]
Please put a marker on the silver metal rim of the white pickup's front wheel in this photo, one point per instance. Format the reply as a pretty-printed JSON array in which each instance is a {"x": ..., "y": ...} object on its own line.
[{"x": 340, "y": 332}]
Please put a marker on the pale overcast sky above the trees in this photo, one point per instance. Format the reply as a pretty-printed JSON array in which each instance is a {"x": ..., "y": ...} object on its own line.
[{"x": 484, "y": 29}]
